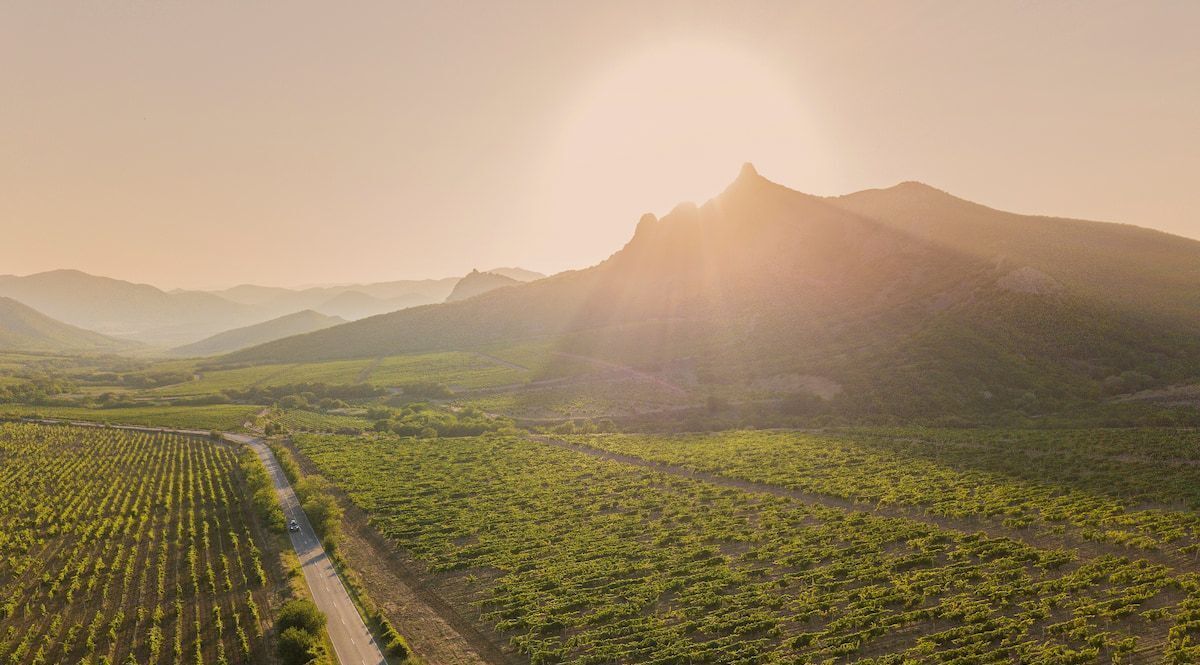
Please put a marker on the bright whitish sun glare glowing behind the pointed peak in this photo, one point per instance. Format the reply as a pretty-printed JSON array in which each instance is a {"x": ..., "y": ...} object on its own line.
[{"x": 674, "y": 125}]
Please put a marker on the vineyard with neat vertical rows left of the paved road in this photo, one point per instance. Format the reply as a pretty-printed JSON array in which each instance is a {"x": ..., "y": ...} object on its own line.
[{"x": 127, "y": 548}]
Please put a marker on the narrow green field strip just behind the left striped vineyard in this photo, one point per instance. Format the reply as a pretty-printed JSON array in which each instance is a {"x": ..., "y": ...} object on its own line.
[{"x": 219, "y": 417}]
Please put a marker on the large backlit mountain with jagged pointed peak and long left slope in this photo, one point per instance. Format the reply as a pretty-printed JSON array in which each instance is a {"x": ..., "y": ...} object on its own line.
[{"x": 913, "y": 301}]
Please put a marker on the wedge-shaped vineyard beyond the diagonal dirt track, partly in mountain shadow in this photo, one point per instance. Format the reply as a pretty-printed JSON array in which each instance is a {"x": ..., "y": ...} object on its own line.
[{"x": 1135, "y": 489}]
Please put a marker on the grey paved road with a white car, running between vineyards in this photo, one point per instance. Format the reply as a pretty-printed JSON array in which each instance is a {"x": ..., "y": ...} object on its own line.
[{"x": 353, "y": 643}]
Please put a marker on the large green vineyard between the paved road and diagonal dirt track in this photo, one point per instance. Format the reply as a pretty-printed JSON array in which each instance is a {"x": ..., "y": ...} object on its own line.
[{"x": 569, "y": 558}]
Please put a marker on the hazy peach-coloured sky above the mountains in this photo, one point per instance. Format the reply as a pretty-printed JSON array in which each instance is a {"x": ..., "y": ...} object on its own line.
[{"x": 209, "y": 143}]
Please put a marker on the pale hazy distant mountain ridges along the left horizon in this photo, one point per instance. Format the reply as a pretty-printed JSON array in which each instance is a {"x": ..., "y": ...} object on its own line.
[{"x": 149, "y": 315}]
